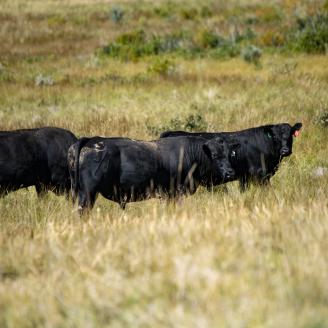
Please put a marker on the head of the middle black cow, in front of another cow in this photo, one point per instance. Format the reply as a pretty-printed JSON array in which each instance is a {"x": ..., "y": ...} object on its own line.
[{"x": 219, "y": 151}]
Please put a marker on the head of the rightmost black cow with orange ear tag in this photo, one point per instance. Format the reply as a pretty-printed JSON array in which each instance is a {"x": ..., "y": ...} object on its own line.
[{"x": 282, "y": 137}]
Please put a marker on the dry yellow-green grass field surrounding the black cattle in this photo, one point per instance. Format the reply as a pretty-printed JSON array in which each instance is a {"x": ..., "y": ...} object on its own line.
[{"x": 215, "y": 259}]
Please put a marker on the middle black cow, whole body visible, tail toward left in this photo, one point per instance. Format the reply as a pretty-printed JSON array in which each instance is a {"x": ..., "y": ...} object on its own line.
[{"x": 125, "y": 170}]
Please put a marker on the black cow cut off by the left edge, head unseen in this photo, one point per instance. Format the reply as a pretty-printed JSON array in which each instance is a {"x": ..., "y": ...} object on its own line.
[{"x": 35, "y": 157}]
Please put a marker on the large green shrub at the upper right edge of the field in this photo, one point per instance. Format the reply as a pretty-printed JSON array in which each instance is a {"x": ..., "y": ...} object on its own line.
[{"x": 312, "y": 34}]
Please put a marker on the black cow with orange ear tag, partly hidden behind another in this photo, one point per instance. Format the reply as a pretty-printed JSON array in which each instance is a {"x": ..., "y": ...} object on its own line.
[{"x": 262, "y": 149}]
